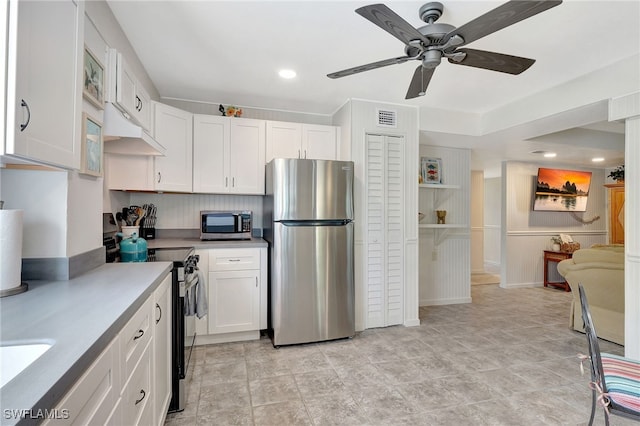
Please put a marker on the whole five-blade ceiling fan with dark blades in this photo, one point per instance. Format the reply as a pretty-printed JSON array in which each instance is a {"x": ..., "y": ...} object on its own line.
[{"x": 433, "y": 41}]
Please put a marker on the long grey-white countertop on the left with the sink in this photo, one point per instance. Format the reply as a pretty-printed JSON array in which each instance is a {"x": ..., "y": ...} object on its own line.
[{"x": 79, "y": 317}]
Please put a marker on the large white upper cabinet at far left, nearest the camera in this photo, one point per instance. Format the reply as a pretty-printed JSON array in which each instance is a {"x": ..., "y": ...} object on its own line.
[{"x": 44, "y": 81}]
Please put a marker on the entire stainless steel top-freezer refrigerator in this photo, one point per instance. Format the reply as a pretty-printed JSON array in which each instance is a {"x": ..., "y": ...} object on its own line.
[{"x": 308, "y": 212}]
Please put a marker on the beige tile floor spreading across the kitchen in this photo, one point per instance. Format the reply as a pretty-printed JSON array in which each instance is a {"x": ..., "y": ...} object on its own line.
[{"x": 508, "y": 358}]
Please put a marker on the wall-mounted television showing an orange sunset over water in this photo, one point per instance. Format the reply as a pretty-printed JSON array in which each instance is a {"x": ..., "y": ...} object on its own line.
[{"x": 559, "y": 190}]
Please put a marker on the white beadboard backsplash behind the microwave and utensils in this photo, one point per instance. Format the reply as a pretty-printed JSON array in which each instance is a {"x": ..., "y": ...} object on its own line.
[{"x": 181, "y": 211}]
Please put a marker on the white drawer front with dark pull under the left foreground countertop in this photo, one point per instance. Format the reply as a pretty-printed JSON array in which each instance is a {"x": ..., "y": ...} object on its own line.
[{"x": 134, "y": 338}]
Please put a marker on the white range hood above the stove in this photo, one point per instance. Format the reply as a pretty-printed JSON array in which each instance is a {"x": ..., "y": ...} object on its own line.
[{"x": 122, "y": 136}]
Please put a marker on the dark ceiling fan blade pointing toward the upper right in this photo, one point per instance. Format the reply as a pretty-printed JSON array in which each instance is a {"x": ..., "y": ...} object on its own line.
[{"x": 501, "y": 17}]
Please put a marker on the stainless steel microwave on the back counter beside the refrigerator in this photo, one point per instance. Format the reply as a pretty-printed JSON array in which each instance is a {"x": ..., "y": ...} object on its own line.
[{"x": 225, "y": 225}]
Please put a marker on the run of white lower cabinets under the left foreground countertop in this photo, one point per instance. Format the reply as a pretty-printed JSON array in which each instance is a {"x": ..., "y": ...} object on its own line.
[{"x": 130, "y": 382}]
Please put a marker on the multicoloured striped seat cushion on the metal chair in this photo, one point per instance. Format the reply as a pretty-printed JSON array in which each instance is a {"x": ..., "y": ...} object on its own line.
[{"x": 622, "y": 376}]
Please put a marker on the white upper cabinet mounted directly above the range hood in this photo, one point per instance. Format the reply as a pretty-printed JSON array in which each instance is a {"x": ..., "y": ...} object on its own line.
[{"x": 127, "y": 93}]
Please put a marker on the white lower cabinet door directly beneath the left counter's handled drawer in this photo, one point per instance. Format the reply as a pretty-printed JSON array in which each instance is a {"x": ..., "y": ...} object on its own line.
[{"x": 137, "y": 395}]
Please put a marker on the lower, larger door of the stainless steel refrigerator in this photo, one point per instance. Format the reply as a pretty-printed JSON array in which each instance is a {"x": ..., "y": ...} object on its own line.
[{"x": 312, "y": 286}]
